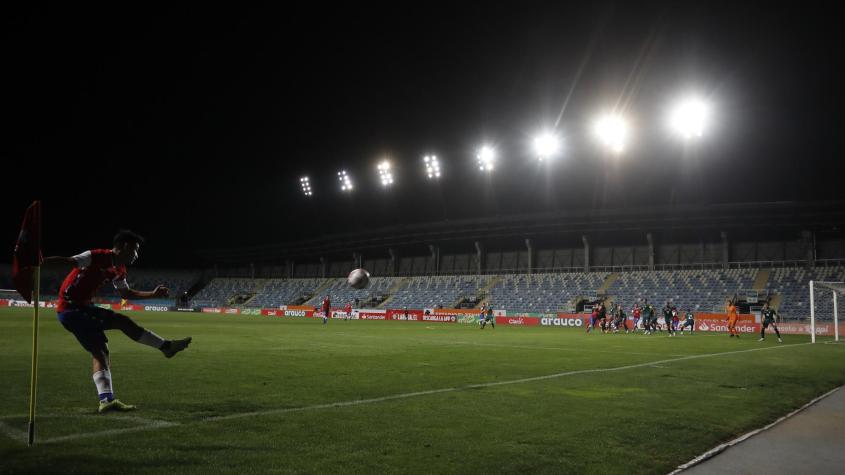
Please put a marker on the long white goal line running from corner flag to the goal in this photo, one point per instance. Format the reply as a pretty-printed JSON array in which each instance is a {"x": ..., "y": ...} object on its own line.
[{"x": 358, "y": 402}]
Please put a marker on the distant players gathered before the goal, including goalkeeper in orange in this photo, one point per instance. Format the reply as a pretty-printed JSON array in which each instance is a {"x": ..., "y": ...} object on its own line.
[{"x": 674, "y": 321}]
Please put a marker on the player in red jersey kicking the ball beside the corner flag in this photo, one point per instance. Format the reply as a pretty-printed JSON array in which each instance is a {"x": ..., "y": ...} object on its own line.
[{"x": 88, "y": 322}]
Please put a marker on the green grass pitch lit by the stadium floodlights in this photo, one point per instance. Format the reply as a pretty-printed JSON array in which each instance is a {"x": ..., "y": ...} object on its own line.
[{"x": 262, "y": 394}]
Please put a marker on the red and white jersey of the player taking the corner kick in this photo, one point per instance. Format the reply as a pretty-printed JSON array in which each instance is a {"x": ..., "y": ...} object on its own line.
[{"x": 93, "y": 269}]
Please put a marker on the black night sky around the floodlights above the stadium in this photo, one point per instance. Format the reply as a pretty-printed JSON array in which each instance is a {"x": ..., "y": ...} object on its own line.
[{"x": 192, "y": 126}]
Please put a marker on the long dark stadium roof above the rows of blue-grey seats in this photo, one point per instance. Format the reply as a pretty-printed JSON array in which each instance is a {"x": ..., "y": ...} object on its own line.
[{"x": 766, "y": 220}]
